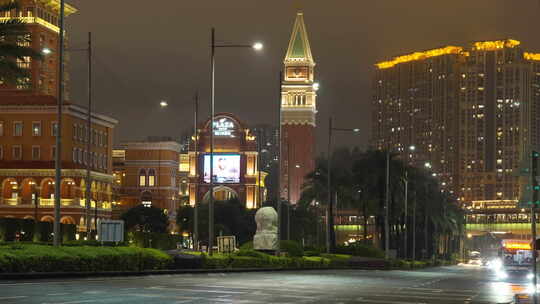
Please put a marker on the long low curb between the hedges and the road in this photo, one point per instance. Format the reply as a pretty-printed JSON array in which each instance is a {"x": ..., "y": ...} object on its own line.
[{"x": 53, "y": 275}]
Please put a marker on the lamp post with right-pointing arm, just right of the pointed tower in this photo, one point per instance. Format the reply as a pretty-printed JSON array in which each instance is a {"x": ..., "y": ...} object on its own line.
[{"x": 330, "y": 235}]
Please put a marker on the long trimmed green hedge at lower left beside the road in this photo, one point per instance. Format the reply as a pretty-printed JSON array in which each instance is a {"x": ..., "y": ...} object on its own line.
[{"x": 43, "y": 258}]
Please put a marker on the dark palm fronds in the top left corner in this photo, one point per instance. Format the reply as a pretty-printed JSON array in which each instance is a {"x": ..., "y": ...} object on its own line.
[{"x": 14, "y": 39}]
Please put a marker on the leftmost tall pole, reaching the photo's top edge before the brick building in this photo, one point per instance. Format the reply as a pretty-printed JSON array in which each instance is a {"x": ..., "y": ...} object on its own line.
[{"x": 58, "y": 156}]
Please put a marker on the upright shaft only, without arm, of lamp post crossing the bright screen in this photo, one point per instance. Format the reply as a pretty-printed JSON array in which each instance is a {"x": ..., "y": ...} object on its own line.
[{"x": 211, "y": 201}]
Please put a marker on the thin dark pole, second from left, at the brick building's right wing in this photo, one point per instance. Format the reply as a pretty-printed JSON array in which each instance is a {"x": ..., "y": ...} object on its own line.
[{"x": 88, "y": 196}]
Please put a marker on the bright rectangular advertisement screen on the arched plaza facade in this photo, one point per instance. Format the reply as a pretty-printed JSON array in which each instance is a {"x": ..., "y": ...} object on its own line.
[{"x": 226, "y": 168}]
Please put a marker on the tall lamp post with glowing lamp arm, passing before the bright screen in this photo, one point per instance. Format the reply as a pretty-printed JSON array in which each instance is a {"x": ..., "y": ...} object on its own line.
[{"x": 256, "y": 46}]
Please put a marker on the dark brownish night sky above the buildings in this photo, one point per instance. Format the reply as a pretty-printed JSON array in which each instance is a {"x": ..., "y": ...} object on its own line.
[{"x": 145, "y": 53}]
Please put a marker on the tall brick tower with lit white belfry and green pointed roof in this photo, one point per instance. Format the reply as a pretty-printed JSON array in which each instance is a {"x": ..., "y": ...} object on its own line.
[{"x": 299, "y": 108}]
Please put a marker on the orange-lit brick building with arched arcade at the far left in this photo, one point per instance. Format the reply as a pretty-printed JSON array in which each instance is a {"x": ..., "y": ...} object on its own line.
[{"x": 28, "y": 129}]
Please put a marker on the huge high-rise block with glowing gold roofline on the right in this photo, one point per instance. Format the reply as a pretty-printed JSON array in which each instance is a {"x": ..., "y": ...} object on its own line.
[{"x": 472, "y": 112}]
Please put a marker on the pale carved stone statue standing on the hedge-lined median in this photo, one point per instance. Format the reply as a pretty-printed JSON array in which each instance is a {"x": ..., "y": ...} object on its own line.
[{"x": 266, "y": 236}]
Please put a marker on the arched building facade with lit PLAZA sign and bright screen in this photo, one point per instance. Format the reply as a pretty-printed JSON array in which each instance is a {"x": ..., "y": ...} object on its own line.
[{"x": 236, "y": 164}]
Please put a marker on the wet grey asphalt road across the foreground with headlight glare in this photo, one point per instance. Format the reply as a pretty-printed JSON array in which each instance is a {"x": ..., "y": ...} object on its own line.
[{"x": 455, "y": 284}]
